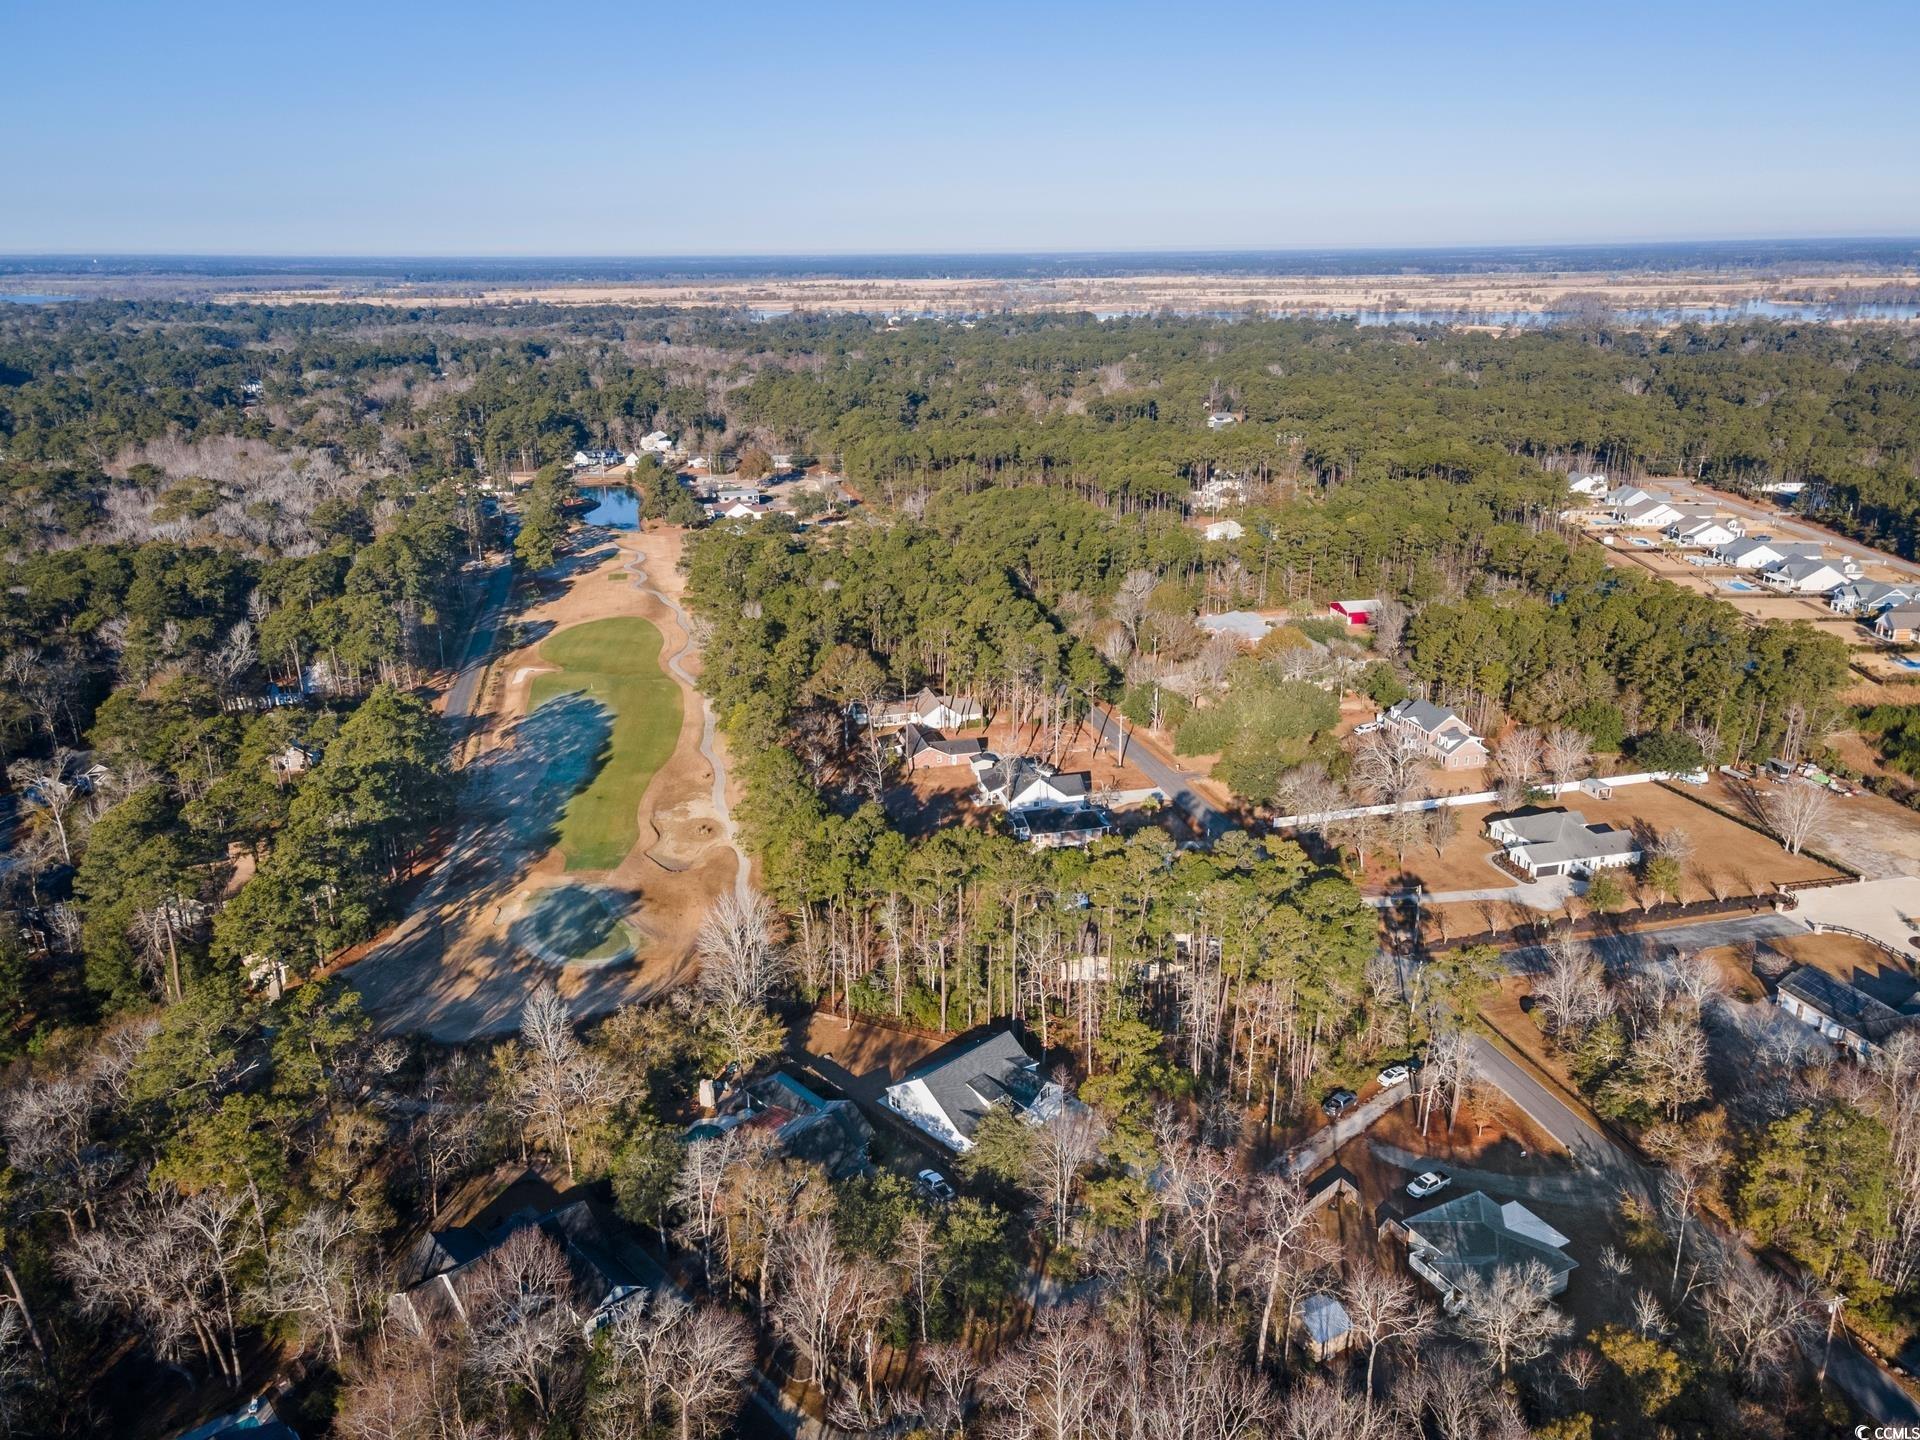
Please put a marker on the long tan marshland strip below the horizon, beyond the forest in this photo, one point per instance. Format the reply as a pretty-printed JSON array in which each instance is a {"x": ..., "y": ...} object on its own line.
[{"x": 1124, "y": 293}]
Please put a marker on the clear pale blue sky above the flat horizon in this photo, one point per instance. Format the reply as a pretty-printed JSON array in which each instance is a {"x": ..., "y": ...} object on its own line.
[{"x": 638, "y": 130}]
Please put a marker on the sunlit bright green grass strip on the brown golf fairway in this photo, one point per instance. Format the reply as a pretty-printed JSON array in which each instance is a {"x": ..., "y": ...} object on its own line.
[{"x": 619, "y": 665}]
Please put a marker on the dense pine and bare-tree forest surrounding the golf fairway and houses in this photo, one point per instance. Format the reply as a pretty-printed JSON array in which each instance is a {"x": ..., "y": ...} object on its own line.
[{"x": 241, "y": 548}]
